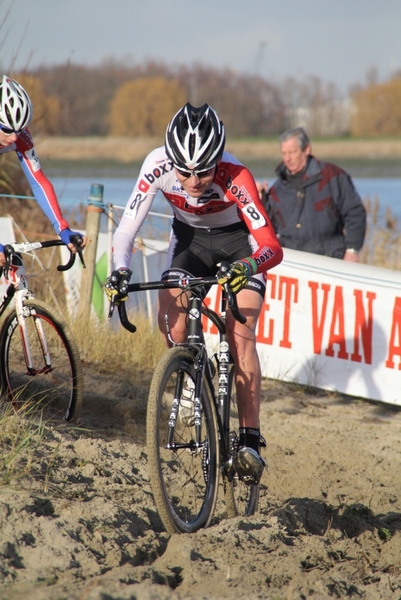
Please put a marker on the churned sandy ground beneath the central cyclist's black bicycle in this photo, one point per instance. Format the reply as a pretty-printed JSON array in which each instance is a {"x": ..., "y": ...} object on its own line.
[{"x": 329, "y": 523}]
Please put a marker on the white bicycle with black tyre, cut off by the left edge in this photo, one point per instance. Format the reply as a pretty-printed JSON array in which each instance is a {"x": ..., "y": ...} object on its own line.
[{"x": 39, "y": 358}]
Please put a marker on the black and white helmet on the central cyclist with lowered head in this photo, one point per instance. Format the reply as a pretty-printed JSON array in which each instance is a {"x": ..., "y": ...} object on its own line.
[{"x": 195, "y": 138}]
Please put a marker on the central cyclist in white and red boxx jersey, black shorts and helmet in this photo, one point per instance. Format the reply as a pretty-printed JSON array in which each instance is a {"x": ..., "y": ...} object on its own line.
[{"x": 217, "y": 217}]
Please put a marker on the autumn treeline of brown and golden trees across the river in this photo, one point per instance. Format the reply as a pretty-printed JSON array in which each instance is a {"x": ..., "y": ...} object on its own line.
[{"x": 115, "y": 99}]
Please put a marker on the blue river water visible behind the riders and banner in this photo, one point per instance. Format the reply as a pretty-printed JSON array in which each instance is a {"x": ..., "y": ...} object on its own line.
[{"x": 75, "y": 190}]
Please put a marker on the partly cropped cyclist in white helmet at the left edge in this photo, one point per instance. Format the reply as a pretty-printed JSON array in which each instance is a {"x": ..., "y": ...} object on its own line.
[{"x": 15, "y": 115}]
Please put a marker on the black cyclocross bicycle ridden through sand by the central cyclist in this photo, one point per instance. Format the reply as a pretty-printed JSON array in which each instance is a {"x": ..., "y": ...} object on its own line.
[{"x": 192, "y": 427}]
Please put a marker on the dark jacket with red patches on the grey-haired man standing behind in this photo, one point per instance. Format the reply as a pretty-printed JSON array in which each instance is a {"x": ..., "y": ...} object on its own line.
[{"x": 324, "y": 216}]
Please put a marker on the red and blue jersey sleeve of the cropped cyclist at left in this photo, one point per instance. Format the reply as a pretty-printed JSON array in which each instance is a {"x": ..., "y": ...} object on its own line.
[{"x": 41, "y": 187}]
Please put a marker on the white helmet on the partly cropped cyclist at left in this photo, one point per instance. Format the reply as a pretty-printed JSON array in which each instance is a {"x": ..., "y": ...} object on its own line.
[{"x": 15, "y": 106}]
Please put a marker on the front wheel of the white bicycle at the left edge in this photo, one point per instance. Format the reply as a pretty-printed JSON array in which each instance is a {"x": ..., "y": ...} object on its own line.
[{"x": 57, "y": 384}]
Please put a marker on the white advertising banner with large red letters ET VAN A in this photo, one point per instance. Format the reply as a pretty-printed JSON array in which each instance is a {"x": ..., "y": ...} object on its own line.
[{"x": 332, "y": 324}]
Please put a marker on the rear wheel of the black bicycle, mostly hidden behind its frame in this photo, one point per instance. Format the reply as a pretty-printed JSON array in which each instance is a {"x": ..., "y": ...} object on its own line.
[{"x": 241, "y": 499}]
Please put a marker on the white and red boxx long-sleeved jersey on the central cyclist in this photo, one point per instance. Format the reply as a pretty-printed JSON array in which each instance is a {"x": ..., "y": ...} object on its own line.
[{"x": 231, "y": 198}]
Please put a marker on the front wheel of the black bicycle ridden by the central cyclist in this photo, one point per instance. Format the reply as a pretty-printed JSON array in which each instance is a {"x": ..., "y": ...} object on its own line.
[{"x": 184, "y": 477}]
